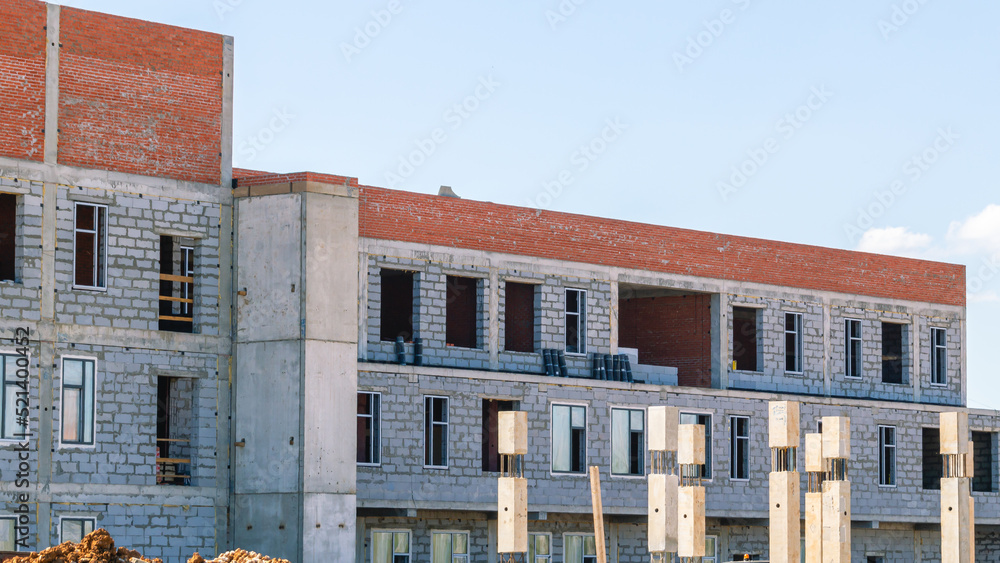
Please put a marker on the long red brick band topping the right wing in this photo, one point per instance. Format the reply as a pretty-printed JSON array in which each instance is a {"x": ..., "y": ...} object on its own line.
[{"x": 461, "y": 223}]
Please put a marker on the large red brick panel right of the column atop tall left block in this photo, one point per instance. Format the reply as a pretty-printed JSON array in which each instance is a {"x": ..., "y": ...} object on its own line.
[{"x": 139, "y": 97}]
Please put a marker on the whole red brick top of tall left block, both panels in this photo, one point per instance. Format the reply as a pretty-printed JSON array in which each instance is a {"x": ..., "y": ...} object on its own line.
[{"x": 134, "y": 96}]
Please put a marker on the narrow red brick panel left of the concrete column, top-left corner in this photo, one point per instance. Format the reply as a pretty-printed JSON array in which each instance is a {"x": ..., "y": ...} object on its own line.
[{"x": 22, "y": 79}]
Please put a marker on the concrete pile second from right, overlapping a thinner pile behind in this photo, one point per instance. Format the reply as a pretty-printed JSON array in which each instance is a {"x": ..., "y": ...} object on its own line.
[{"x": 836, "y": 490}]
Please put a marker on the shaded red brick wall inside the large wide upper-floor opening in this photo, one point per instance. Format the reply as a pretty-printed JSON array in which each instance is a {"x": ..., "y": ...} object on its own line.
[{"x": 670, "y": 331}]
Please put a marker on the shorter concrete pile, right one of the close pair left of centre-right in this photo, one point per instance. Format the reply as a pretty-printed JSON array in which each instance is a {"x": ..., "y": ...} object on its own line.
[{"x": 690, "y": 495}]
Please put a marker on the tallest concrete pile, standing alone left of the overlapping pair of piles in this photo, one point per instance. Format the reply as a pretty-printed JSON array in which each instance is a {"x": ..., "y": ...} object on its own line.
[{"x": 785, "y": 511}]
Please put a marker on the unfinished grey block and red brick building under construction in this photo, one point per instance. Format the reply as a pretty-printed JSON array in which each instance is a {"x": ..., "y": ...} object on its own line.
[{"x": 312, "y": 368}]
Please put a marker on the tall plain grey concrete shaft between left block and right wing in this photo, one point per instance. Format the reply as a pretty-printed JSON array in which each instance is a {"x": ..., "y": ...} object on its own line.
[{"x": 296, "y": 359}]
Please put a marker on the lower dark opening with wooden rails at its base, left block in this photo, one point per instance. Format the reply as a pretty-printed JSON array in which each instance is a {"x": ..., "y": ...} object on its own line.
[{"x": 174, "y": 412}]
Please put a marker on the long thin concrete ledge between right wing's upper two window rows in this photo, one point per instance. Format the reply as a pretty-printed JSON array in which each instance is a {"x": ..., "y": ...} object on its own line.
[{"x": 377, "y": 367}]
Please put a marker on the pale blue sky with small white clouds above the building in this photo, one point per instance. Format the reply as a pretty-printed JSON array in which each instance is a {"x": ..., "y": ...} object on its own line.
[{"x": 858, "y": 124}]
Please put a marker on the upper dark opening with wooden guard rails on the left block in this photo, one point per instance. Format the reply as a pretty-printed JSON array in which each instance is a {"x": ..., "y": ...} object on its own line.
[{"x": 176, "y": 284}]
